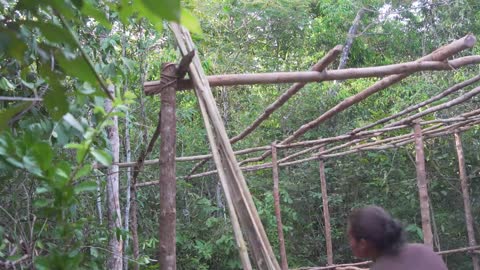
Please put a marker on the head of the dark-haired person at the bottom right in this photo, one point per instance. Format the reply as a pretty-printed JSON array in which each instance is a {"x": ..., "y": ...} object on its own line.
[{"x": 373, "y": 232}]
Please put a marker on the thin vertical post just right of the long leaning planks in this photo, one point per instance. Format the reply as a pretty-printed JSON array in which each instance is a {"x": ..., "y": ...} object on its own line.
[{"x": 276, "y": 201}]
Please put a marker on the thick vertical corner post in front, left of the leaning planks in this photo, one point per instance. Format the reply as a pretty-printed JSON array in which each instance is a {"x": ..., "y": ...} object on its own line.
[{"x": 167, "y": 218}]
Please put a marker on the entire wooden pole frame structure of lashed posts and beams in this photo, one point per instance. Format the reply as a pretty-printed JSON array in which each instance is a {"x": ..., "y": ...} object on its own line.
[{"x": 245, "y": 220}]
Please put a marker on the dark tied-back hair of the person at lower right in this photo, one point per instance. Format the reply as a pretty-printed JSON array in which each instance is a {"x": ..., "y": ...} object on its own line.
[{"x": 375, "y": 225}]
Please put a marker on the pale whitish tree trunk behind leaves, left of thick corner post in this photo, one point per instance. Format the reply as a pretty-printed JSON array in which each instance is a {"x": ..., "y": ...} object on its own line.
[{"x": 114, "y": 260}]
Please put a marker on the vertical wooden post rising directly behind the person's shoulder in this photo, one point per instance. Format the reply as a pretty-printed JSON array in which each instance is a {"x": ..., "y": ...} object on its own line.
[{"x": 422, "y": 185}]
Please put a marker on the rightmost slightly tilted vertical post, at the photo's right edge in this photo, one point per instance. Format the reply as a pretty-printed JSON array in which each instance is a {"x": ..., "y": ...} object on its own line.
[{"x": 466, "y": 199}]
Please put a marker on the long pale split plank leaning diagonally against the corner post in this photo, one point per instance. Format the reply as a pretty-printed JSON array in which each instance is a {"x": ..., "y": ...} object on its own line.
[{"x": 226, "y": 161}]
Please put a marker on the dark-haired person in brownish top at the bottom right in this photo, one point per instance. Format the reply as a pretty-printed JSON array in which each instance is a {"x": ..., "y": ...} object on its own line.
[{"x": 375, "y": 235}]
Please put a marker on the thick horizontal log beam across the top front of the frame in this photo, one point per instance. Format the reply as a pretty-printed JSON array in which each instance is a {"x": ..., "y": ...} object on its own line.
[{"x": 331, "y": 75}]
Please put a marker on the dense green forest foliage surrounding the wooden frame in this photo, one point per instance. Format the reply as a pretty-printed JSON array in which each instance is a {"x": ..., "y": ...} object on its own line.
[{"x": 64, "y": 55}]
